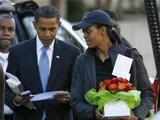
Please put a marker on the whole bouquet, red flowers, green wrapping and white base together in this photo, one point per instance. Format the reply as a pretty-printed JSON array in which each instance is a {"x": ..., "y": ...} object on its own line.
[{"x": 115, "y": 97}]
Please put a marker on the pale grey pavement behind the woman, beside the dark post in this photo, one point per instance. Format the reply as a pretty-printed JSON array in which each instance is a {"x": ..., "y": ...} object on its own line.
[{"x": 135, "y": 29}]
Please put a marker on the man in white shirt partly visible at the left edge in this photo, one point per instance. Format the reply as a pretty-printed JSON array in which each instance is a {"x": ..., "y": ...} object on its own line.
[{"x": 7, "y": 35}]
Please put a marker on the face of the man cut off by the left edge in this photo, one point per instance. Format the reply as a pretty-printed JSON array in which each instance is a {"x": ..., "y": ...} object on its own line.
[{"x": 7, "y": 32}]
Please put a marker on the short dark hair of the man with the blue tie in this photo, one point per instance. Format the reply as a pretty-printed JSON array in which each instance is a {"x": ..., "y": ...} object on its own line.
[{"x": 46, "y": 11}]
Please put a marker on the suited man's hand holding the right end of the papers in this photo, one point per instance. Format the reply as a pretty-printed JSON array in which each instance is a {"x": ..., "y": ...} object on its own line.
[{"x": 63, "y": 97}]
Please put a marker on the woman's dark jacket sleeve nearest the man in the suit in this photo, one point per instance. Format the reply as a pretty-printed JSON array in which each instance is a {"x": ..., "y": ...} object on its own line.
[{"x": 83, "y": 110}]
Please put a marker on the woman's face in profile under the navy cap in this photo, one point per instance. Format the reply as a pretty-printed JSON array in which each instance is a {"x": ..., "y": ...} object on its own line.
[{"x": 93, "y": 36}]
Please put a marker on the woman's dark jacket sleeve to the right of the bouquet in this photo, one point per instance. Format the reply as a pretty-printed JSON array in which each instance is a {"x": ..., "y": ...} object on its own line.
[{"x": 140, "y": 79}]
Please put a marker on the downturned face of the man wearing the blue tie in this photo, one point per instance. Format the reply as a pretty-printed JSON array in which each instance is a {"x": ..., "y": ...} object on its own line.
[{"x": 47, "y": 29}]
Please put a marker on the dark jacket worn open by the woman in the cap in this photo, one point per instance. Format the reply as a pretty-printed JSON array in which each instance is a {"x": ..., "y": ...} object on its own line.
[{"x": 84, "y": 78}]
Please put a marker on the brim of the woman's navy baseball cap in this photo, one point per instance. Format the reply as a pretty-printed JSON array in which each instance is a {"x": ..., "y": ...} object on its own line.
[{"x": 81, "y": 25}]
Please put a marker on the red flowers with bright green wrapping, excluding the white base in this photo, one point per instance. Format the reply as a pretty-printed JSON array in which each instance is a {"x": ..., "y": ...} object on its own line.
[{"x": 113, "y": 91}]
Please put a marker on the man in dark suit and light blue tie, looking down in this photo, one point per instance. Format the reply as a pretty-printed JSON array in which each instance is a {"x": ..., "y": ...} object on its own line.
[{"x": 43, "y": 64}]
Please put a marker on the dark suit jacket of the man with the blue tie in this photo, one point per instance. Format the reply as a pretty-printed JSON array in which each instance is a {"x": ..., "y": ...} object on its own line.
[{"x": 22, "y": 62}]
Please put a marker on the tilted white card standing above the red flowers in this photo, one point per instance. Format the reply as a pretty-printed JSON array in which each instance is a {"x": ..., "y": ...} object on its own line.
[{"x": 122, "y": 66}]
